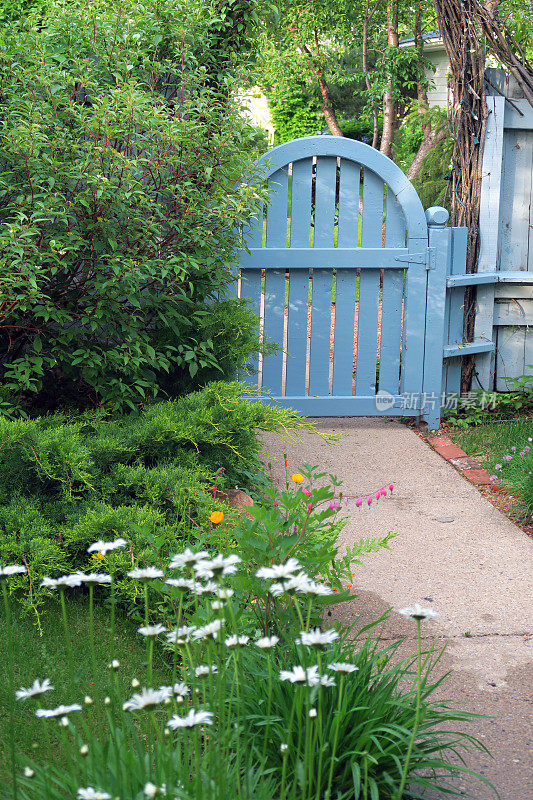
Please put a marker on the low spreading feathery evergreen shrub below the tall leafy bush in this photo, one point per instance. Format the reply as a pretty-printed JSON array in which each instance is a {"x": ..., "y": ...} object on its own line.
[{"x": 69, "y": 482}]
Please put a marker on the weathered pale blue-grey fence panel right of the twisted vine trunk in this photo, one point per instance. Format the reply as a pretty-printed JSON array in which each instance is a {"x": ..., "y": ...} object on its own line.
[{"x": 504, "y": 308}]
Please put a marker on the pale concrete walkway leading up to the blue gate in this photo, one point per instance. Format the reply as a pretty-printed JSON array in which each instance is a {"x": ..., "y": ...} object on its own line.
[{"x": 456, "y": 553}]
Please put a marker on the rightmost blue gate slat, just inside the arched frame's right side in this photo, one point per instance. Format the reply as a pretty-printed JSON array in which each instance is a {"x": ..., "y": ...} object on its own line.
[{"x": 392, "y": 300}]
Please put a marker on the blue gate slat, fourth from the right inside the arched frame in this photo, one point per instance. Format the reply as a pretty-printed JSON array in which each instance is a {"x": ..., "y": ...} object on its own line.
[{"x": 324, "y": 224}]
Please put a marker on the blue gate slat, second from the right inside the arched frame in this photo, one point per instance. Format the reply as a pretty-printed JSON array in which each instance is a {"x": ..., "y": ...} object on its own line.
[{"x": 367, "y": 326}]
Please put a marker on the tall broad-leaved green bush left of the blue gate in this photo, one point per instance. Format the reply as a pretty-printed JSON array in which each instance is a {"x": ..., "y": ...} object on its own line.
[{"x": 118, "y": 211}]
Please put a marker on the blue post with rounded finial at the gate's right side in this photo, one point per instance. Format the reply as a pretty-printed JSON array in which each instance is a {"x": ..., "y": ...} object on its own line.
[{"x": 439, "y": 243}]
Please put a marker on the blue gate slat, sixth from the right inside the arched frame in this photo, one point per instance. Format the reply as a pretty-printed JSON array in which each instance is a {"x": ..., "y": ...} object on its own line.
[{"x": 276, "y": 236}]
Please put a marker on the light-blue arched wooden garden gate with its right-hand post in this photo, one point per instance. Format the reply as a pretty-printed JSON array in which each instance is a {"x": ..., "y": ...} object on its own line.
[{"x": 348, "y": 274}]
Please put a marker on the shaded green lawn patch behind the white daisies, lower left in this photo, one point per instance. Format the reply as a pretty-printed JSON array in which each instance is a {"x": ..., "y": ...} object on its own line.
[{"x": 45, "y": 656}]
